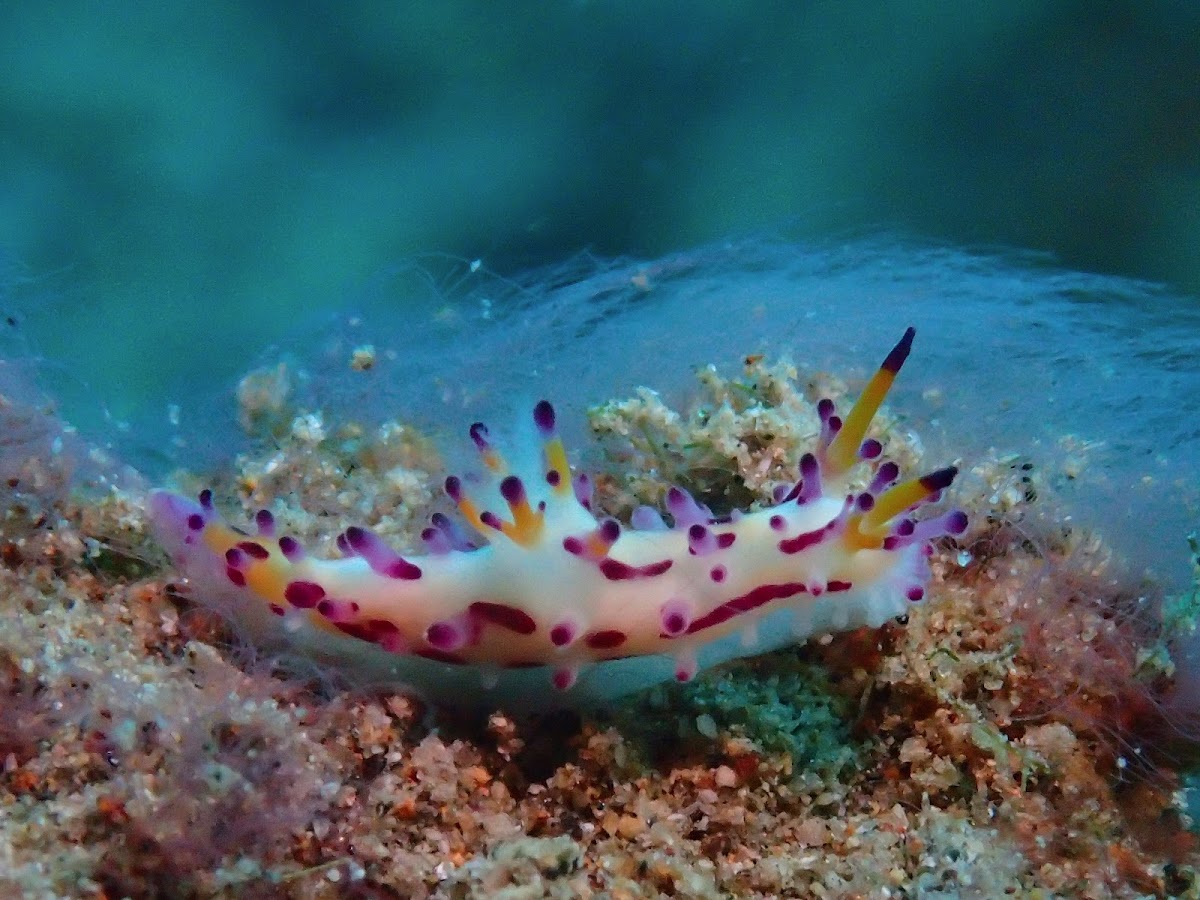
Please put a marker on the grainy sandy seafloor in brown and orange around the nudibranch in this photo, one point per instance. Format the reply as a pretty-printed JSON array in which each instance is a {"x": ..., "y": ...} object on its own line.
[{"x": 1022, "y": 735}]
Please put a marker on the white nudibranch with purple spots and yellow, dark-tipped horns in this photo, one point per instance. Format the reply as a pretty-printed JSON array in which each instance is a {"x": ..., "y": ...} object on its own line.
[{"x": 536, "y": 590}]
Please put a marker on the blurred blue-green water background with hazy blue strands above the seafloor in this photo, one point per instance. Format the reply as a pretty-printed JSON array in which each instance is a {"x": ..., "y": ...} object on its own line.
[{"x": 184, "y": 187}]
